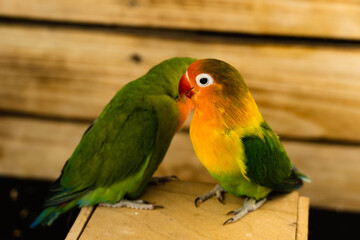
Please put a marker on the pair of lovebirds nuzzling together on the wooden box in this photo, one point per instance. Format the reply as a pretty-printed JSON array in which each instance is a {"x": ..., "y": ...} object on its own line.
[{"x": 122, "y": 148}]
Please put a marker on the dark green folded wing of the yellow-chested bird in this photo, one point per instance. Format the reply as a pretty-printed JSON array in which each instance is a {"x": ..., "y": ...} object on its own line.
[{"x": 267, "y": 163}]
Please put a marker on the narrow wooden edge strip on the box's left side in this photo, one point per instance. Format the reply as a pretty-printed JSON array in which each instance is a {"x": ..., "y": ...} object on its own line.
[{"x": 80, "y": 223}]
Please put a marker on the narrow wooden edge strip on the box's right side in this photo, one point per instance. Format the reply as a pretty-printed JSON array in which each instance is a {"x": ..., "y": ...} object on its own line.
[{"x": 302, "y": 219}]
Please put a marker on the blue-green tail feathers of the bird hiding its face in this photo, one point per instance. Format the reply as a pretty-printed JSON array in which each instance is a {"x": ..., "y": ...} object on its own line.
[{"x": 51, "y": 213}]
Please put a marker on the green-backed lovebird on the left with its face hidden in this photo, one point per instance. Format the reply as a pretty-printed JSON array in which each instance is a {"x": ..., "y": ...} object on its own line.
[{"x": 123, "y": 147}]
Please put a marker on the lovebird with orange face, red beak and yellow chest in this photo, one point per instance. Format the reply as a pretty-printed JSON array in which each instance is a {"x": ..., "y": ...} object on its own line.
[{"x": 231, "y": 138}]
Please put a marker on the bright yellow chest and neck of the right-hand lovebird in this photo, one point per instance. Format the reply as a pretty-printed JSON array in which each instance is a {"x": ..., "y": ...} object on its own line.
[{"x": 216, "y": 136}]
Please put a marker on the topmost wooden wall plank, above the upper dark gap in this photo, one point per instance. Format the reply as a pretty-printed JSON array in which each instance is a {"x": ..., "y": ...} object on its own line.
[{"x": 332, "y": 19}]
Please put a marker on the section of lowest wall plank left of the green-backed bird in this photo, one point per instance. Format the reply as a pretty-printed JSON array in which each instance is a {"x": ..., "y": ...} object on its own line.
[{"x": 36, "y": 149}]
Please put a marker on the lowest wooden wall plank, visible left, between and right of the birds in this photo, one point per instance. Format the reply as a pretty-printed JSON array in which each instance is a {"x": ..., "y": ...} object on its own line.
[{"x": 38, "y": 149}]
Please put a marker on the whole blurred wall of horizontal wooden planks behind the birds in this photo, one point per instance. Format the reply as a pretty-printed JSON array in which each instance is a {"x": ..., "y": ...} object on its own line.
[{"x": 61, "y": 61}]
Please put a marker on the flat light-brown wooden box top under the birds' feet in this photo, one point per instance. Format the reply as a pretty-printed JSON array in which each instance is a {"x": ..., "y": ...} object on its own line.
[{"x": 276, "y": 219}]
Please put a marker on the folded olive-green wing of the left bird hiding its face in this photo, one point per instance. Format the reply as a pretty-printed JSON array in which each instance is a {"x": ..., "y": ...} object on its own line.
[{"x": 114, "y": 147}]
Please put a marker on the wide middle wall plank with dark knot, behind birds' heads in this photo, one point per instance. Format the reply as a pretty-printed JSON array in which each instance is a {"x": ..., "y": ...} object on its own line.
[{"x": 302, "y": 91}]
